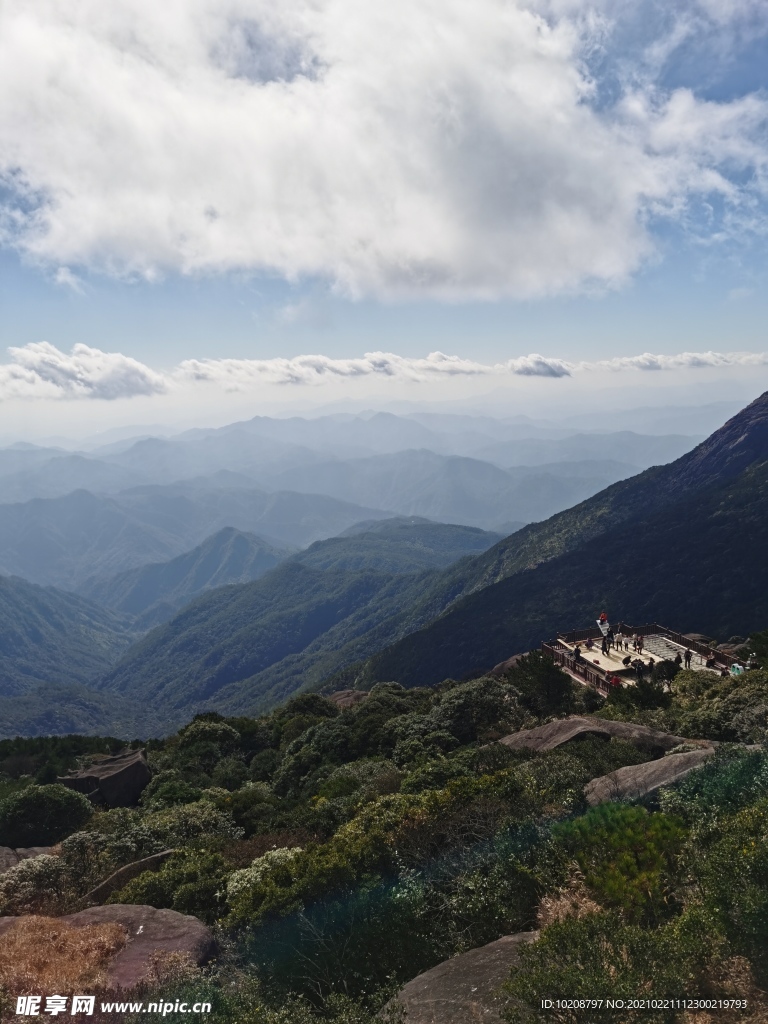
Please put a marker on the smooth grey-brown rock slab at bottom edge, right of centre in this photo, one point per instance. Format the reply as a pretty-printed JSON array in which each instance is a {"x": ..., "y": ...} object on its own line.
[{"x": 466, "y": 989}]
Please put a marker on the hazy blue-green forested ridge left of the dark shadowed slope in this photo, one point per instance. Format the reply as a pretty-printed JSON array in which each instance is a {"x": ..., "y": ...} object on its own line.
[{"x": 249, "y": 647}]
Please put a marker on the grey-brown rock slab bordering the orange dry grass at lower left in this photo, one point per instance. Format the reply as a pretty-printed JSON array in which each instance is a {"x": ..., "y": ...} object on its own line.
[{"x": 149, "y": 930}]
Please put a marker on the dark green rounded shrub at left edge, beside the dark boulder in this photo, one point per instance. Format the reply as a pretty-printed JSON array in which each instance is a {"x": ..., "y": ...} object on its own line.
[{"x": 41, "y": 816}]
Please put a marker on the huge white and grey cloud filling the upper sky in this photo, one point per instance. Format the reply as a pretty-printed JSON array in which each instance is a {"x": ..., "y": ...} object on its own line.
[{"x": 419, "y": 148}]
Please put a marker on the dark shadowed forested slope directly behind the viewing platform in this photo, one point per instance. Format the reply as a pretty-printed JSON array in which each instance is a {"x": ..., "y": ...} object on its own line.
[{"x": 698, "y": 565}]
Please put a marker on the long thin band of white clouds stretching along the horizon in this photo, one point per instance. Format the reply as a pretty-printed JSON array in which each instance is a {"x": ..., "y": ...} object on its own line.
[{"x": 44, "y": 372}]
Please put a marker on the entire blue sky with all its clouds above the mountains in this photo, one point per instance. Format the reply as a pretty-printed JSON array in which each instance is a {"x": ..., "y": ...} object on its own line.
[{"x": 216, "y": 208}]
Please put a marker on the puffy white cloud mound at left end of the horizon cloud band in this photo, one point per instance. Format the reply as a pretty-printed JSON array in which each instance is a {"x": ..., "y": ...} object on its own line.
[{"x": 41, "y": 371}]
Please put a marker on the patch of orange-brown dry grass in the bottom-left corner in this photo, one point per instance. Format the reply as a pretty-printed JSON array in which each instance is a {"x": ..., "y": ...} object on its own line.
[{"x": 40, "y": 956}]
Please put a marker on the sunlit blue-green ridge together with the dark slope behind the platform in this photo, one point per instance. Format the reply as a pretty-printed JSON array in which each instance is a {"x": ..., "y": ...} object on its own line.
[{"x": 681, "y": 543}]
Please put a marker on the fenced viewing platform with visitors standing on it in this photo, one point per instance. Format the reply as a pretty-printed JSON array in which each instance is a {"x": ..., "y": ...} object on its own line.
[{"x": 660, "y": 645}]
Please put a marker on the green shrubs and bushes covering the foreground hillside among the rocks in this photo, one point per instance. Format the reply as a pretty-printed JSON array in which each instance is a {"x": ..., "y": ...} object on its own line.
[{"x": 344, "y": 851}]
